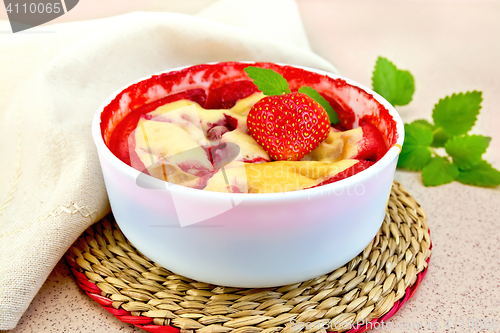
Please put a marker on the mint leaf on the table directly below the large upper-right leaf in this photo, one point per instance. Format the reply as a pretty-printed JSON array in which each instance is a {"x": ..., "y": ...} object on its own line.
[{"x": 466, "y": 150}]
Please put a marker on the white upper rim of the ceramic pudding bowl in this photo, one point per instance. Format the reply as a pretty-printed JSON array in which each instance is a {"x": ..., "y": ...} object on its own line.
[{"x": 348, "y": 182}]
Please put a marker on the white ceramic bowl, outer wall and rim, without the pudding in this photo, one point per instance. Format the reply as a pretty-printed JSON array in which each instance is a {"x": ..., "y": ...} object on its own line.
[{"x": 250, "y": 240}]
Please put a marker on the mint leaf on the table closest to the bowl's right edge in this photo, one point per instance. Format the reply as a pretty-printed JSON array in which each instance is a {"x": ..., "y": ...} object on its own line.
[{"x": 415, "y": 153}]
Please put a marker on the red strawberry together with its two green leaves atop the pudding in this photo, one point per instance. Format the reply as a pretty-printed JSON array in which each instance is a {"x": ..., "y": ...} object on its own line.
[{"x": 287, "y": 125}]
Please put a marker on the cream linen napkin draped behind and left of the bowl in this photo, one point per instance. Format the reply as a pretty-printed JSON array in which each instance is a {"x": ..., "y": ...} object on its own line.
[{"x": 51, "y": 84}]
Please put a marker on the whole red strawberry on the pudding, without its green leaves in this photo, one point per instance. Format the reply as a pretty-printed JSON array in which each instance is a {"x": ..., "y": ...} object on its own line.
[{"x": 288, "y": 126}]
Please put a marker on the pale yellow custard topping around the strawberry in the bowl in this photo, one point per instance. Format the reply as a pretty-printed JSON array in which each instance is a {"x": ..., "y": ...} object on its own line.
[{"x": 173, "y": 142}]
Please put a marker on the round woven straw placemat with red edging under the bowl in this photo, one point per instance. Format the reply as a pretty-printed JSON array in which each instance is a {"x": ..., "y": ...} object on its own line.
[{"x": 355, "y": 297}]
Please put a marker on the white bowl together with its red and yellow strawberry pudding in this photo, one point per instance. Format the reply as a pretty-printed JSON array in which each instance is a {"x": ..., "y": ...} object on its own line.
[{"x": 322, "y": 210}]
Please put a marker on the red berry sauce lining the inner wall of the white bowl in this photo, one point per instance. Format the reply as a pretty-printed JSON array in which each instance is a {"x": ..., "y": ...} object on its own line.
[{"x": 220, "y": 86}]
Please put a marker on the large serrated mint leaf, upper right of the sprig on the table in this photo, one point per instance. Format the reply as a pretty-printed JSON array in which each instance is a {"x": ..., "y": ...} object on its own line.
[{"x": 457, "y": 114}]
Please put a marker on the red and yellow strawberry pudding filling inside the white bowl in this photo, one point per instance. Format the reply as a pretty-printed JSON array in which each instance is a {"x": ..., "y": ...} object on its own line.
[{"x": 204, "y": 133}]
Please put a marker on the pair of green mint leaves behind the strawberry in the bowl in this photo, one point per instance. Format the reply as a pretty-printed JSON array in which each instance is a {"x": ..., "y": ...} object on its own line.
[{"x": 272, "y": 83}]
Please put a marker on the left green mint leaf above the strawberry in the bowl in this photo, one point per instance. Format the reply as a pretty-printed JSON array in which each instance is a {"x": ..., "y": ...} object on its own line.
[{"x": 268, "y": 81}]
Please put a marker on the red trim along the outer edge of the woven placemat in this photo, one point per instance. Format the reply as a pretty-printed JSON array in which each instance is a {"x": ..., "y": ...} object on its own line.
[{"x": 145, "y": 322}]
